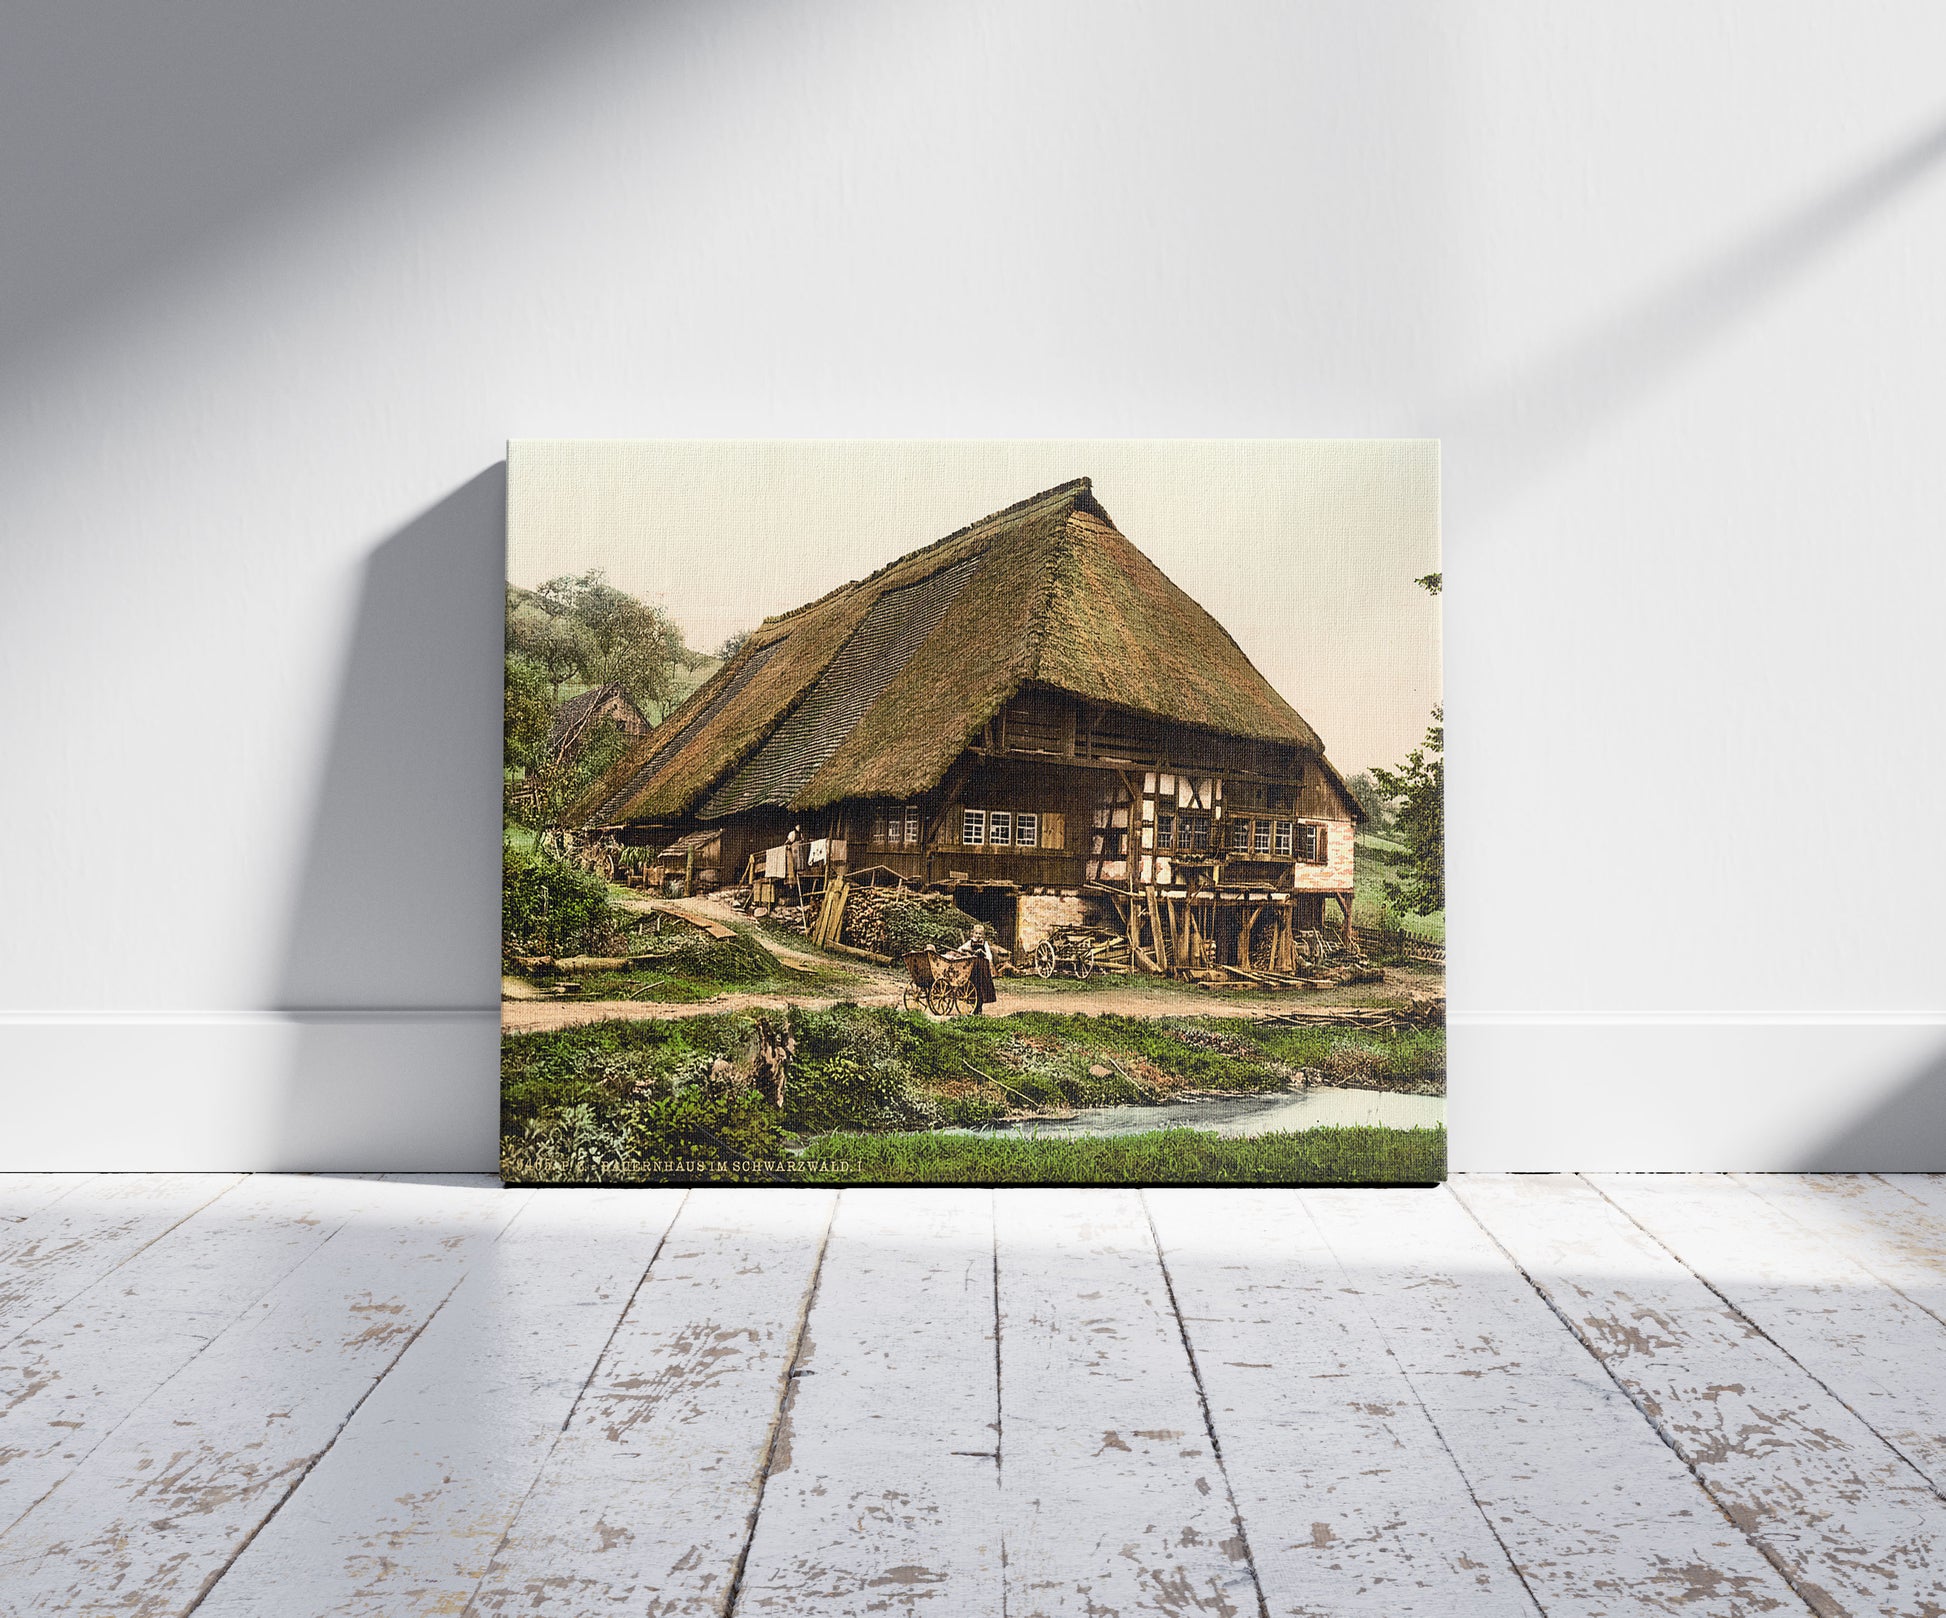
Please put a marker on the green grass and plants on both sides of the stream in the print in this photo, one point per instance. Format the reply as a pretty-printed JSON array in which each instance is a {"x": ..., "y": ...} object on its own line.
[{"x": 612, "y": 1099}]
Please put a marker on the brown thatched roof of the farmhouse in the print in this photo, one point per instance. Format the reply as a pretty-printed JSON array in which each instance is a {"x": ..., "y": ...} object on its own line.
[{"x": 879, "y": 686}]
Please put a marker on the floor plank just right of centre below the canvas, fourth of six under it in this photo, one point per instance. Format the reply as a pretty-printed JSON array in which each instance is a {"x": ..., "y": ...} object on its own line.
[{"x": 1112, "y": 1496}]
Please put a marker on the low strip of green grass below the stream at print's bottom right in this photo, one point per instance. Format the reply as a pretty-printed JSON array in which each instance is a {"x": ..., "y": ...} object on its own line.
[{"x": 1184, "y": 1158}]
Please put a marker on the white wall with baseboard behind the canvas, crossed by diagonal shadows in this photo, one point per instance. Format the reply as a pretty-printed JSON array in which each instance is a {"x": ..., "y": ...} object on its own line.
[{"x": 279, "y": 283}]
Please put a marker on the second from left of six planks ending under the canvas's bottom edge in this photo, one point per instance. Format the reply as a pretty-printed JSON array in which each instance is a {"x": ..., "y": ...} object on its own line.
[{"x": 647, "y": 1500}]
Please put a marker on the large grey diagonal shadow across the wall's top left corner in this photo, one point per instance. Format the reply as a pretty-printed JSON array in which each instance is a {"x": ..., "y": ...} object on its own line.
[{"x": 135, "y": 137}]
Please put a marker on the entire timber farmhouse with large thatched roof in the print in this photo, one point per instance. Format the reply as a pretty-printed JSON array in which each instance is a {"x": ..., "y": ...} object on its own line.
[{"x": 1027, "y": 714}]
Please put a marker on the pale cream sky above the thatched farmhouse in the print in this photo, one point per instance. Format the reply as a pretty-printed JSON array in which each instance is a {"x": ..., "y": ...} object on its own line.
[{"x": 1303, "y": 550}]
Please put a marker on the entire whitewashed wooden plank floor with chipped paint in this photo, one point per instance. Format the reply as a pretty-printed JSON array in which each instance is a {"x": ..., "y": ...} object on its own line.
[{"x": 1606, "y": 1395}]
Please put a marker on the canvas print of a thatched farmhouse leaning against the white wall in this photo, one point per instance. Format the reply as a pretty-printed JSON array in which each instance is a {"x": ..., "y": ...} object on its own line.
[{"x": 990, "y": 813}]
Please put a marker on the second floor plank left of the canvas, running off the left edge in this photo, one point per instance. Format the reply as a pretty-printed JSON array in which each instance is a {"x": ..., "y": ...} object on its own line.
[{"x": 73, "y": 1378}]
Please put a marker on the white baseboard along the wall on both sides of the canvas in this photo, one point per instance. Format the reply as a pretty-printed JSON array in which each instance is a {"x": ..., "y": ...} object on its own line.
[{"x": 417, "y": 1089}]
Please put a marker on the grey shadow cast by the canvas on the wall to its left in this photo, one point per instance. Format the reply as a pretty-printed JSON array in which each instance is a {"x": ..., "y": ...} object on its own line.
[{"x": 392, "y": 963}]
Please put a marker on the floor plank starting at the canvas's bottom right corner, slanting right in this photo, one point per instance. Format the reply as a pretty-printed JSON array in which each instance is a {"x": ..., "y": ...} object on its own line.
[{"x": 1850, "y": 1522}]
